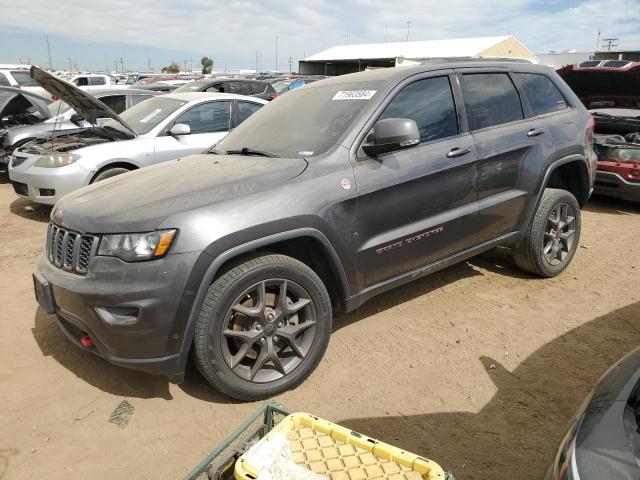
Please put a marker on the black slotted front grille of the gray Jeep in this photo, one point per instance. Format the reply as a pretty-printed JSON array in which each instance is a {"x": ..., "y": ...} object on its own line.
[{"x": 70, "y": 250}]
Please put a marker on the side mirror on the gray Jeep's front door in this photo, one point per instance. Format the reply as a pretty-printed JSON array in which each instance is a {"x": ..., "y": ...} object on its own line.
[{"x": 392, "y": 134}]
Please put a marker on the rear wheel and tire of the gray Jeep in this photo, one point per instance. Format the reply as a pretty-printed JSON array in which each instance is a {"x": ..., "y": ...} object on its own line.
[{"x": 530, "y": 254}]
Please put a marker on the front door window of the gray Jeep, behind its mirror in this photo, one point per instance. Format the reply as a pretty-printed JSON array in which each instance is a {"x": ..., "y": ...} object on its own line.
[{"x": 430, "y": 104}]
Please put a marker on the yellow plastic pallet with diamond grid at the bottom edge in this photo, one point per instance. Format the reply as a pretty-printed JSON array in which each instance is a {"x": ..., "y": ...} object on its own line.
[{"x": 340, "y": 454}]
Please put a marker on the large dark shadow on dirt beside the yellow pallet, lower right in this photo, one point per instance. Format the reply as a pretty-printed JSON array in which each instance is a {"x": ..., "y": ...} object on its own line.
[{"x": 516, "y": 434}]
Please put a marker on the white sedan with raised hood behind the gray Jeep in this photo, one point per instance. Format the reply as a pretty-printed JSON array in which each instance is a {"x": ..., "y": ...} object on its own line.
[{"x": 155, "y": 130}]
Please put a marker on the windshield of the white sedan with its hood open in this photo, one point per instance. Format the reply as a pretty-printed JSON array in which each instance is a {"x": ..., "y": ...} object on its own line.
[{"x": 146, "y": 115}]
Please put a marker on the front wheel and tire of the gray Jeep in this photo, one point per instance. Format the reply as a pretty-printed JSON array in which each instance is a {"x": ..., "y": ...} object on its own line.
[{"x": 211, "y": 339}]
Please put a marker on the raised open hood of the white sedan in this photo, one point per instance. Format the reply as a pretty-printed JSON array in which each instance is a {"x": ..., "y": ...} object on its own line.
[{"x": 85, "y": 104}]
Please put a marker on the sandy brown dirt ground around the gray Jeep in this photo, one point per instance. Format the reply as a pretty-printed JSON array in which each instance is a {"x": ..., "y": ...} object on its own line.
[{"x": 479, "y": 367}]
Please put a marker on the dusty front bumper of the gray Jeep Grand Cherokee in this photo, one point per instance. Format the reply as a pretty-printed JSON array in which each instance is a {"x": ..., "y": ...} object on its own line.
[{"x": 153, "y": 290}]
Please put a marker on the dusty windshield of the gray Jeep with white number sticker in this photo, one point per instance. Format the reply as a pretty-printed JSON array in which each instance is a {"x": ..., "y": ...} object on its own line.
[{"x": 303, "y": 123}]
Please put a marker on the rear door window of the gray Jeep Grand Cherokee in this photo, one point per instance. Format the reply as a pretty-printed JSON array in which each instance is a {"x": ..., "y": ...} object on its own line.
[{"x": 490, "y": 99}]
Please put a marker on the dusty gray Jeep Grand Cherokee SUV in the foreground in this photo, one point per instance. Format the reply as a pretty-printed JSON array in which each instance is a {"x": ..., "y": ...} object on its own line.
[{"x": 324, "y": 198}]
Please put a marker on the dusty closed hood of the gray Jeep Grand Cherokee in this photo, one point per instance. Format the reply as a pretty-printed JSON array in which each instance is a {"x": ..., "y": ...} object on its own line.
[{"x": 141, "y": 200}]
